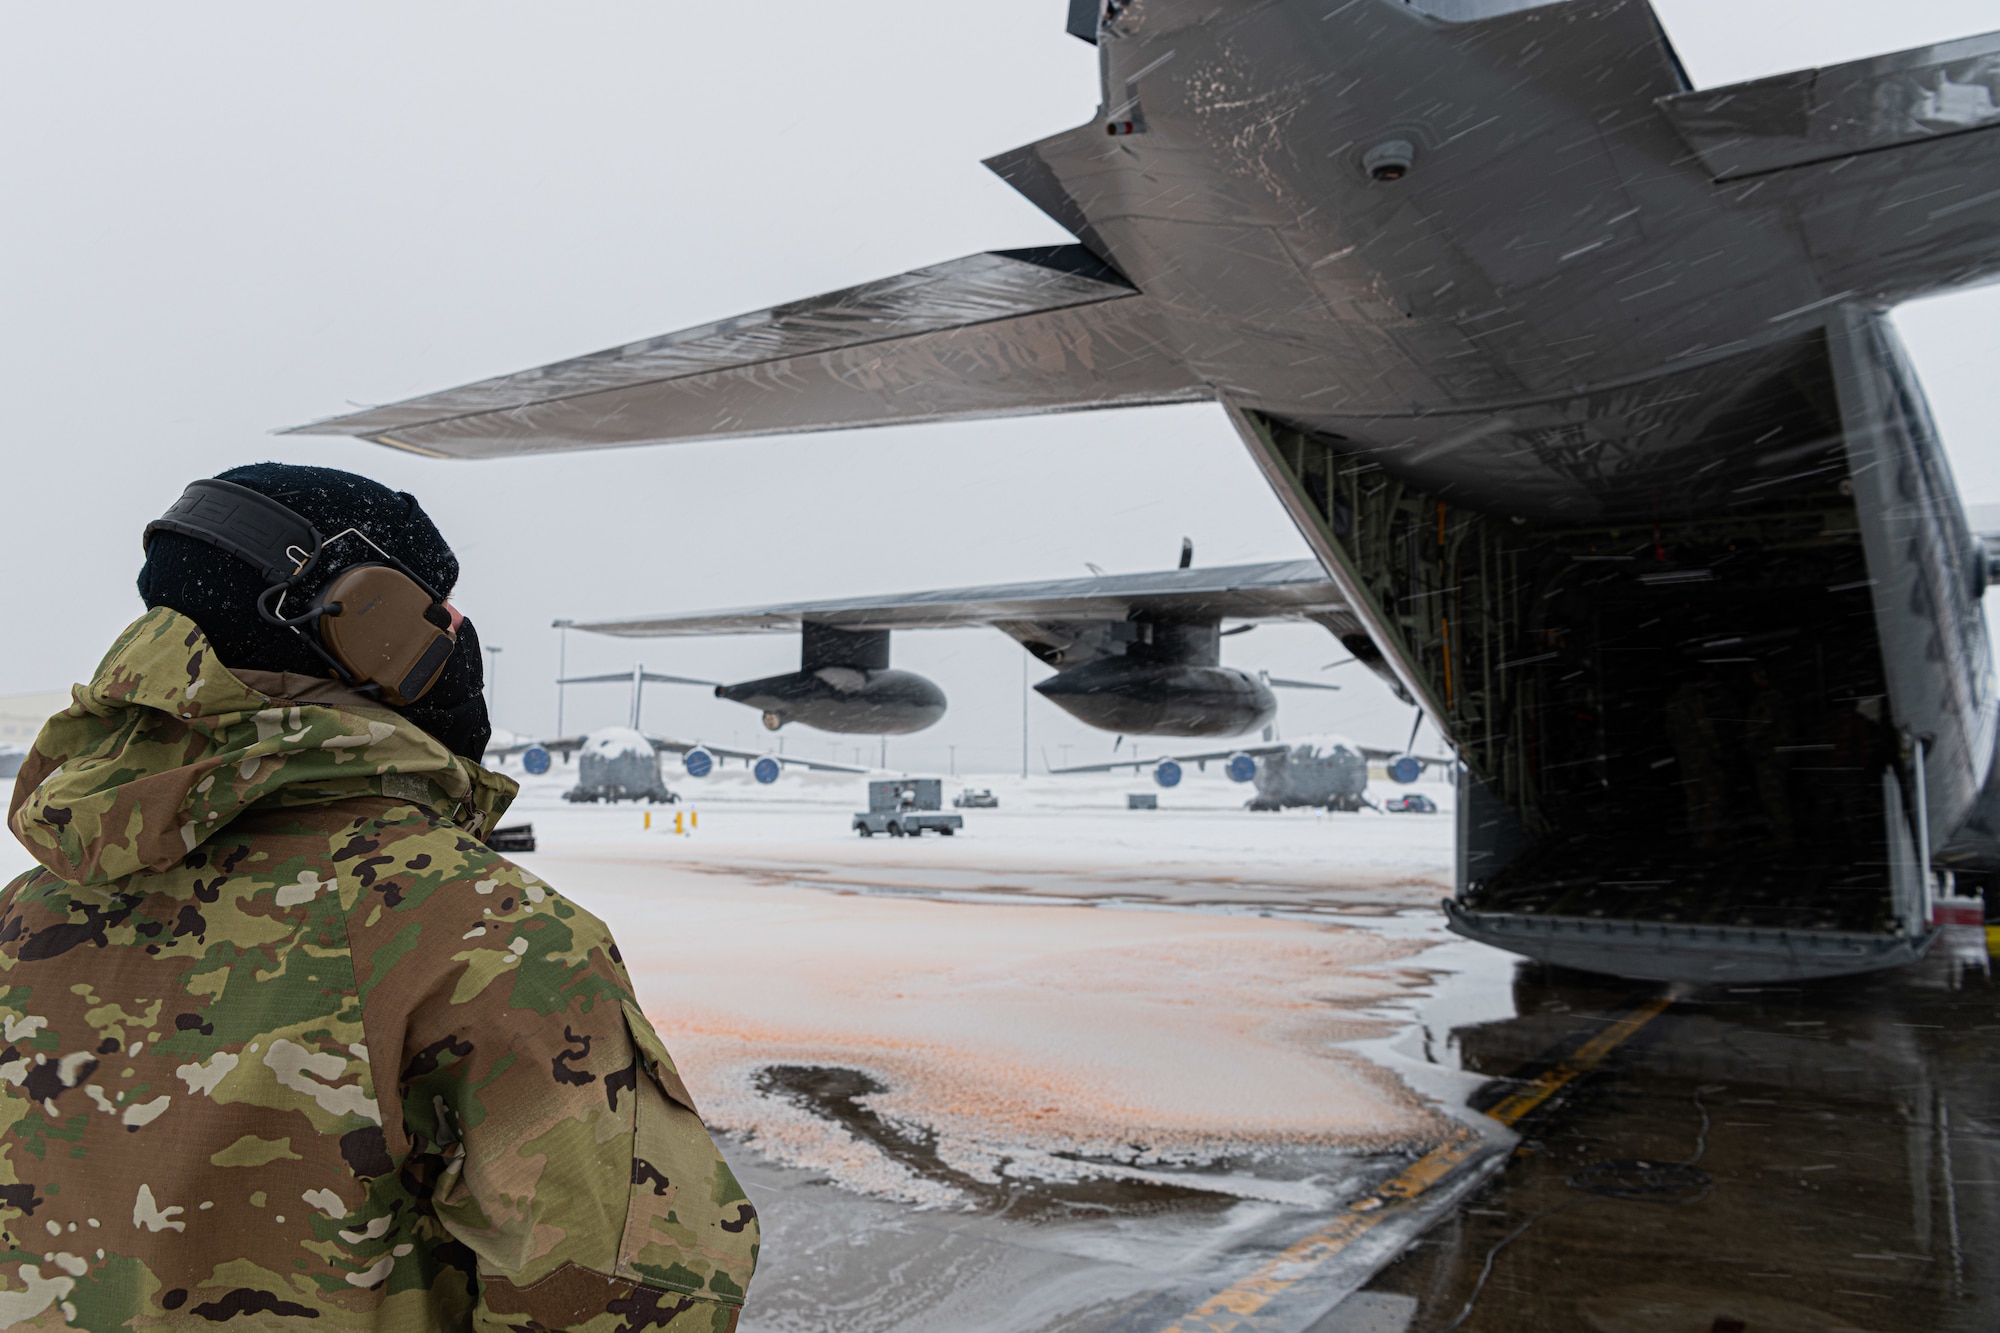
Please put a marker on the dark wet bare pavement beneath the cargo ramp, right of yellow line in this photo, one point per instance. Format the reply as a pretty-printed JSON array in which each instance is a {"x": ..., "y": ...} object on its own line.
[{"x": 1813, "y": 1158}]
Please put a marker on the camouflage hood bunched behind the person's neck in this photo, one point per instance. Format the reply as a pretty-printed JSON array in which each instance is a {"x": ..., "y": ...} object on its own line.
[{"x": 167, "y": 748}]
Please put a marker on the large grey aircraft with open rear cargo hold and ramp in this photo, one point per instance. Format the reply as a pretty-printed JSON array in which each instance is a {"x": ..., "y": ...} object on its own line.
[{"x": 1579, "y": 381}]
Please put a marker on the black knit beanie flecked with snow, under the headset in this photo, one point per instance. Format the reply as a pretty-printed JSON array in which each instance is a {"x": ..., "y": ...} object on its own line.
[{"x": 219, "y": 591}]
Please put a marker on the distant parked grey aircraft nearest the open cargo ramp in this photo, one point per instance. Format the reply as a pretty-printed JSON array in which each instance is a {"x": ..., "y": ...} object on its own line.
[{"x": 1329, "y": 774}]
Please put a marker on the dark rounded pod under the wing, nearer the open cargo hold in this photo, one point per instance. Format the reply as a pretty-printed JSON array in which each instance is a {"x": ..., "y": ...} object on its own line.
[{"x": 1161, "y": 700}]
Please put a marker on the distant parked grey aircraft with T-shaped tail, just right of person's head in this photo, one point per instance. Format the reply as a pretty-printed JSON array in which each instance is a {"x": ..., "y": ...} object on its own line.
[{"x": 623, "y": 764}]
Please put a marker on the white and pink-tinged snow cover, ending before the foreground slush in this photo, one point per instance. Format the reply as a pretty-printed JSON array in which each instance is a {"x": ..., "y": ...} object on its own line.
[{"x": 1063, "y": 990}]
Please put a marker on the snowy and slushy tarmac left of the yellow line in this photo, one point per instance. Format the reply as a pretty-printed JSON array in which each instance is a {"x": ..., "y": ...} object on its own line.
[{"x": 1103, "y": 1050}]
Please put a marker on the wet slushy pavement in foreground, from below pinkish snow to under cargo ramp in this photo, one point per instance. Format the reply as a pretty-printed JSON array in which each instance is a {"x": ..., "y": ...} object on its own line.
[{"x": 1817, "y": 1158}]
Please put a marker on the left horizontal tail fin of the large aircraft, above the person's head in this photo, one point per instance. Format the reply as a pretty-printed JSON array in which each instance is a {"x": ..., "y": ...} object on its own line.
[{"x": 991, "y": 335}]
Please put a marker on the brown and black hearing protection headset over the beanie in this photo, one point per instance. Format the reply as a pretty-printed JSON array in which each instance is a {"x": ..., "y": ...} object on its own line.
[{"x": 383, "y": 629}]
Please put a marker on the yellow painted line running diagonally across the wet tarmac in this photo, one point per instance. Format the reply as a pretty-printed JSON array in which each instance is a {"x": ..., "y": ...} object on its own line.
[{"x": 1227, "y": 1310}]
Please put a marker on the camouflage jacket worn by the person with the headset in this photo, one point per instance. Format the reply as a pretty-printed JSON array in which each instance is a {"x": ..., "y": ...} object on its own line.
[{"x": 285, "y": 1040}]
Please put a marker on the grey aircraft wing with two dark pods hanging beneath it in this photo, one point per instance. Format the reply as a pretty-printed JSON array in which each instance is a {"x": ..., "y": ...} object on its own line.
[{"x": 1133, "y": 653}]
